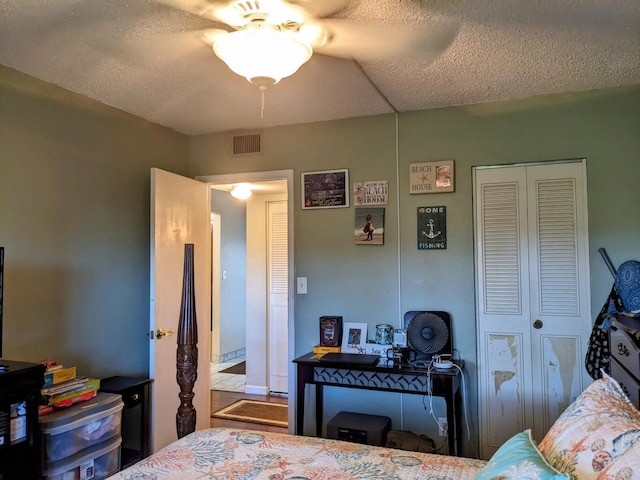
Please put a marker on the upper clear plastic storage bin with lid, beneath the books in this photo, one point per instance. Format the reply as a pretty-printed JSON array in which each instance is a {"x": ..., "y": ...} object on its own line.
[{"x": 73, "y": 429}]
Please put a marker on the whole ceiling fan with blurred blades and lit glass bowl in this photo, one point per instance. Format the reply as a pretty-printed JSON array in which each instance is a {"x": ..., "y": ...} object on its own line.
[{"x": 267, "y": 40}]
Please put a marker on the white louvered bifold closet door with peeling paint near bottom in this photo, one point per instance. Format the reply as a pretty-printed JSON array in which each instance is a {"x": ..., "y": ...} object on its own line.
[{"x": 533, "y": 306}]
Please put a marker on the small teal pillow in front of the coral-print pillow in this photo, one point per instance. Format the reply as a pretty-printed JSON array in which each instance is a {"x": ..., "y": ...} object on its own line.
[{"x": 519, "y": 458}]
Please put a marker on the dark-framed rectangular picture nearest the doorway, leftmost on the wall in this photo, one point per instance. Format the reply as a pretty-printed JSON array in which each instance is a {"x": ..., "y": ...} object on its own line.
[{"x": 328, "y": 189}]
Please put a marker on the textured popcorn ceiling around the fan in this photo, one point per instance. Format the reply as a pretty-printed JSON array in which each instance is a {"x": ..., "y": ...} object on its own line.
[{"x": 148, "y": 57}]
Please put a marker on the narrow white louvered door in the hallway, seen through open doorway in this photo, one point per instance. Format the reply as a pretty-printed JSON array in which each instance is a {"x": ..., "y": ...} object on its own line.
[{"x": 277, "y": 285}]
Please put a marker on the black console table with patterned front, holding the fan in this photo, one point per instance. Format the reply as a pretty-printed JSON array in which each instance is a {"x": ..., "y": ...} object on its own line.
[{"x": 385, "y": 377}]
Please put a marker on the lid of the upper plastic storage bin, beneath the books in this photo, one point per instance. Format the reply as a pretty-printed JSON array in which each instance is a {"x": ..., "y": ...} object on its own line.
[{"x": 72, "y": 417}]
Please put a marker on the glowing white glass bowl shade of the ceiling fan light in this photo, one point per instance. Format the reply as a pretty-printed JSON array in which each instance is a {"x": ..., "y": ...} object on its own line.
[{"x": 262, "y": 55}]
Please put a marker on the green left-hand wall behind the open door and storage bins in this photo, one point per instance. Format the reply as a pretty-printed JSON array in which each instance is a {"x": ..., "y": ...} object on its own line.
[{"x": 74, "y": 221}]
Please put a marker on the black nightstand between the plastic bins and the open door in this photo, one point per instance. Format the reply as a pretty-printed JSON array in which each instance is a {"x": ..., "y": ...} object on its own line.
[{"x": 136, "y": 415}]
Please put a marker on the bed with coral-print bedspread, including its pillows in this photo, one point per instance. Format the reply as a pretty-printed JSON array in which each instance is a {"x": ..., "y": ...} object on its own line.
[{"x": 597, "y": 437}]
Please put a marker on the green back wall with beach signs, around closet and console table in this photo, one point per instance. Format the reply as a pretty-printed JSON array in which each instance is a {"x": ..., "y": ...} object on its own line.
[{"x": 377, "y": 284}]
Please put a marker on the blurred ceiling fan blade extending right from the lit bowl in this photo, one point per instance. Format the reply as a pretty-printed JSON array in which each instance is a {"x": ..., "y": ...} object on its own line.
[{"x": 368, "y": 42}]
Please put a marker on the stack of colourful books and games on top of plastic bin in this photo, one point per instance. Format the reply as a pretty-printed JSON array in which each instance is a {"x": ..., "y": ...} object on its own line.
[{"x": 63, "y": 387}]
